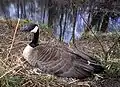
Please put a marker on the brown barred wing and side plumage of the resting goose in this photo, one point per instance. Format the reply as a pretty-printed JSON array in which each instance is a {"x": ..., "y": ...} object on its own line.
[{"x": 64, "y": 63}]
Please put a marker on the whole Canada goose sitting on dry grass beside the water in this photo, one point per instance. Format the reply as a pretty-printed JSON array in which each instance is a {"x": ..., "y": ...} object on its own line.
[{"x": 57, "y": 59}]
